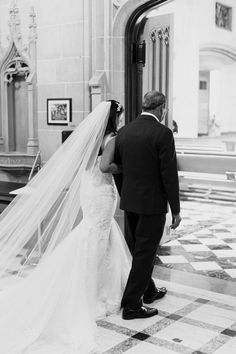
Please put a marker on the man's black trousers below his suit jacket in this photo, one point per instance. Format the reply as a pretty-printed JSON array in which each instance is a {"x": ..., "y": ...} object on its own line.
[{"x": 143, "y": 236}]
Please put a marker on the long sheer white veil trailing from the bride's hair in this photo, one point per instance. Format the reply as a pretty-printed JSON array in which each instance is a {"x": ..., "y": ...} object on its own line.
[{"x": 49, "y": 208}]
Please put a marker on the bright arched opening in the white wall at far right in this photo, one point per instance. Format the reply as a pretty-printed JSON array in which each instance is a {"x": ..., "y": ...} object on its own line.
[{"x": 217, "y": 68}]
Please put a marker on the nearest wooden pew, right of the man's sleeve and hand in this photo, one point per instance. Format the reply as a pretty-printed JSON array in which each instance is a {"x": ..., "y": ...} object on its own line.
[{"x": 210, "y": 175}]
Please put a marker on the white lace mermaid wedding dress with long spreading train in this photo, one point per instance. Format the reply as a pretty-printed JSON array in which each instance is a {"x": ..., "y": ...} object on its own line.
[{"x": 54, "y": 309}]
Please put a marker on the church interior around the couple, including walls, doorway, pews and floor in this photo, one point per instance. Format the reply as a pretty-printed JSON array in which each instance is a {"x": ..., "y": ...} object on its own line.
[{"x": 59, "y": 59}]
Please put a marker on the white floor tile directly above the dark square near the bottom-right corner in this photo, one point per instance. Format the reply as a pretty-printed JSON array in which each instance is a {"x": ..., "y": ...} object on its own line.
[{"x": 214, "y": 315}]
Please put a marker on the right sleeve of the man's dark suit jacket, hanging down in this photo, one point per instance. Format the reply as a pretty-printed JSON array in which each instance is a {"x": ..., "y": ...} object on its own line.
[{"x": 169, "y": 172}]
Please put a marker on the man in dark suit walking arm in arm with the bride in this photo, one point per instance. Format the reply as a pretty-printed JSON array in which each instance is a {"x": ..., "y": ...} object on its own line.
[{"x": 145, "y": 148}]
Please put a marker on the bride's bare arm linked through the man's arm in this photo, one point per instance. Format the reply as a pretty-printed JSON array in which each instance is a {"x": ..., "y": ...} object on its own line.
[{"x": 106, "y": 164}]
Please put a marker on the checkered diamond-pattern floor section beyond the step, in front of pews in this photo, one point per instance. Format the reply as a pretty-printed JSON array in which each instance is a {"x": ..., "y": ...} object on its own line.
[{"x": 205, "y": 243}]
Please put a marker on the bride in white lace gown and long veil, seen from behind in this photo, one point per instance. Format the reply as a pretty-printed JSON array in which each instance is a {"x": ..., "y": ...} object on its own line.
[{"x": 63, "y": 260}]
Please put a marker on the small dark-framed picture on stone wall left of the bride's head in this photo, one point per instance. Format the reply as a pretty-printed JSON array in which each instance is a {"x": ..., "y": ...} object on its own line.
[{"x": 59, "y": 111}]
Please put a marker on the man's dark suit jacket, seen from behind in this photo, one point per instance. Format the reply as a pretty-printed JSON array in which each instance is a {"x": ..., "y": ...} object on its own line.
[{"x": 146, "y": 150}]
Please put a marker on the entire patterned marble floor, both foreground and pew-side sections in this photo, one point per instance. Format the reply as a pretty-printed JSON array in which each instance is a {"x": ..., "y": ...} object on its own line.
[{"x": 190, "y": 320}]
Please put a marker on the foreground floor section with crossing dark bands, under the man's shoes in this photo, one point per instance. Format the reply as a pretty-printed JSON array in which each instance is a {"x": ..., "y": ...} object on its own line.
[{"x": 190, "y": 321}]
